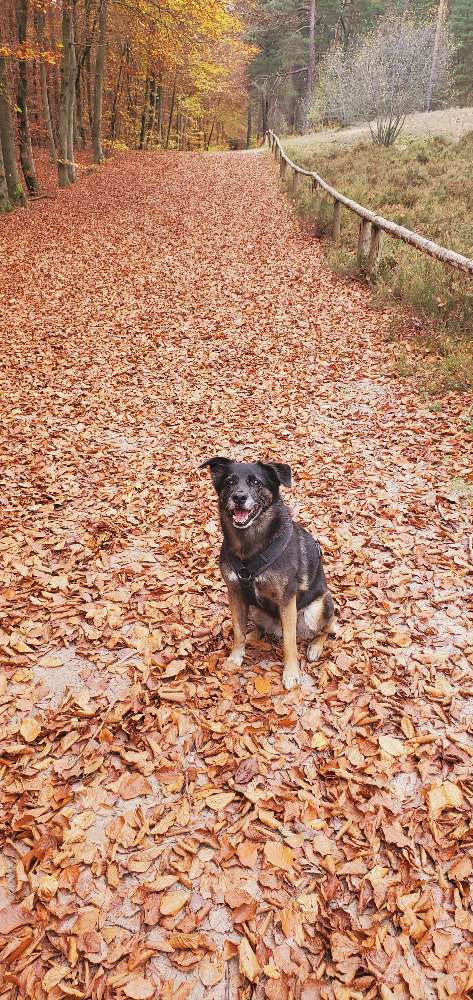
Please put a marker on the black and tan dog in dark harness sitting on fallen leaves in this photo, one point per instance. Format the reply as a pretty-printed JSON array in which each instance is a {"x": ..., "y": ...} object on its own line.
[{"x": 272, "y": 566}]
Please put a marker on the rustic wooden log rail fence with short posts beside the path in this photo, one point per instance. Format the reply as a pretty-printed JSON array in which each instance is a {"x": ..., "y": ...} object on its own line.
[{"x": 372, "y": 226}]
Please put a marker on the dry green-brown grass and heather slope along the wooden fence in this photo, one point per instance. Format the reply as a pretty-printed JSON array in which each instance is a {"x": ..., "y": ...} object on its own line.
[{"x": 426, "y": 184}]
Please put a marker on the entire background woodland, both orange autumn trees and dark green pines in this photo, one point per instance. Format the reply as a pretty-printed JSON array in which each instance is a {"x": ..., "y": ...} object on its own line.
[{"x": 86, "y": 76}]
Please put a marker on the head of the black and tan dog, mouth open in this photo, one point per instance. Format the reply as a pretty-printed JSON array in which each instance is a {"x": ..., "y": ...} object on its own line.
[{"x": 246, "y": 489}]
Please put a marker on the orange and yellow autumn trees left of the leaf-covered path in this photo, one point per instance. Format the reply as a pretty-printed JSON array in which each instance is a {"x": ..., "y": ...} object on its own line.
[{"x": 99, "y": 74}]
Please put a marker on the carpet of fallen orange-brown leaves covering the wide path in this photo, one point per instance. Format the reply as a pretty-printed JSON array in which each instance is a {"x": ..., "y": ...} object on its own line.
[{"x": 170, "y": 829}]
